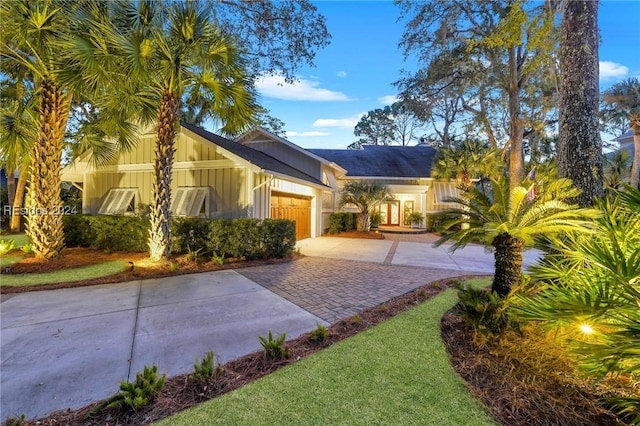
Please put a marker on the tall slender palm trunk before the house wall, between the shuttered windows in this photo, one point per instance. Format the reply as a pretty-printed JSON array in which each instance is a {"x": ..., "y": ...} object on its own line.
[{"x": 160, "y": 232}]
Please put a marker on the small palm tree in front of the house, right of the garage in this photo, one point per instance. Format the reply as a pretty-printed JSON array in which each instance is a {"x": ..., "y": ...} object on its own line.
[{"x": 365, "y": 196}]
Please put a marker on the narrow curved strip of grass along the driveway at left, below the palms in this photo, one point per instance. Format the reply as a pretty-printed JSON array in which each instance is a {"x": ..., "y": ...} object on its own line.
[{"x": 66, "y": 275}]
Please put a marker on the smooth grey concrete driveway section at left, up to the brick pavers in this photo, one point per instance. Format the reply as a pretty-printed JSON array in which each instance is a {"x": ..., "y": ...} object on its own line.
[{"x": 67, "y": 348}]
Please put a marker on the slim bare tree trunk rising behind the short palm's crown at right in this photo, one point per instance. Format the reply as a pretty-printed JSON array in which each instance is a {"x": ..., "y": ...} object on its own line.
[{"x": 516, "y": 127}]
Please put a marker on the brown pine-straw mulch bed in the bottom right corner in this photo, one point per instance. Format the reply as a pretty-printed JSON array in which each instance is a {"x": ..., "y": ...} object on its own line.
[{"x": 528, "y": 381}]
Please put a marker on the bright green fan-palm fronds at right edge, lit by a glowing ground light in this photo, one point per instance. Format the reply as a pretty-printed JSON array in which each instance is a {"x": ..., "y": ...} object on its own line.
[{"x": 590, "y": 286}]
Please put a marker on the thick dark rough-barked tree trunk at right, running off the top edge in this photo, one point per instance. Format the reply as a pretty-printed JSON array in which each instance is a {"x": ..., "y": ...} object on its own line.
[{"x": 579, "y": 144}]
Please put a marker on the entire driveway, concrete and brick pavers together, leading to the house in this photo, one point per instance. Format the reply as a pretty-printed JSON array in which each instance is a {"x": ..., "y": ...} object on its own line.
[{"x": 66, "y": 348}]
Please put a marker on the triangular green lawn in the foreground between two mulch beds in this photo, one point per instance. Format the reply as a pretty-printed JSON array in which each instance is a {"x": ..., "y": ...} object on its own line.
[{"x": 395, "y": 373}]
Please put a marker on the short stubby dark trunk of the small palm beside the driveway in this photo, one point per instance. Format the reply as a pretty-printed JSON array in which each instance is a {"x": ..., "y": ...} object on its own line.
[{"x": 508, "y": 264}]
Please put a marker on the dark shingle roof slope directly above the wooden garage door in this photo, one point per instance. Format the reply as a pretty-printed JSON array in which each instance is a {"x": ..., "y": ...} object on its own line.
[{"x": 253, "y": 156}]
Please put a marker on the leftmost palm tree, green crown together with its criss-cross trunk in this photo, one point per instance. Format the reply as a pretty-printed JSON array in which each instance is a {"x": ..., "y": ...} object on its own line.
[{"x": 33, "y": 34}]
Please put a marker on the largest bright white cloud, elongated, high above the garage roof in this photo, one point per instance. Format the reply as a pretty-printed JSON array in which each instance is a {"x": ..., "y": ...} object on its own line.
[{"x": 301, "y": 90}]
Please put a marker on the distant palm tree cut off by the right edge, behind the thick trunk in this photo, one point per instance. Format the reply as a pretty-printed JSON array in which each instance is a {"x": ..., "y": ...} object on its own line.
[{"x": 622, "y": 103}]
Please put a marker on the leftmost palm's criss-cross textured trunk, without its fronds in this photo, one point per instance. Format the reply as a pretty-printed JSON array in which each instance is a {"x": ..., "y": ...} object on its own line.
[{"x": 44, "y": 223}]
